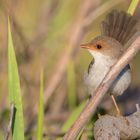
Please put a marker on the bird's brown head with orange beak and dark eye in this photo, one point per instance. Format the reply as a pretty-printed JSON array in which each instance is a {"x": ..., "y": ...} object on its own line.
[{"x": 104, "y": 46}]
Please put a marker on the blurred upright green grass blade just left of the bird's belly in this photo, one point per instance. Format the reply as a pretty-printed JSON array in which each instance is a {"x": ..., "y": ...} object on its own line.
[{"x": 71, "y": 82}]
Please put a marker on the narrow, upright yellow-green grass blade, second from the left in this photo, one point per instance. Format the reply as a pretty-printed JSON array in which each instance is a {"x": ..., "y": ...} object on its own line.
[{"x": 41, "y": 110}]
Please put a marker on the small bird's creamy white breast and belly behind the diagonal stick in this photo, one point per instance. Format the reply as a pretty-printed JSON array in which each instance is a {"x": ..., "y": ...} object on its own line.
[{"x": 97, "y": 71}]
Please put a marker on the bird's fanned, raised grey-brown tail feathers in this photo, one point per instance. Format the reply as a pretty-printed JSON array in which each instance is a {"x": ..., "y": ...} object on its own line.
[{"x": 119, "y": 25}]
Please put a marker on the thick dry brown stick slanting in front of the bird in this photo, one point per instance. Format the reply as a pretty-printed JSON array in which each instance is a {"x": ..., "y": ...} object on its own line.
[{"x": 102, "y": 89}]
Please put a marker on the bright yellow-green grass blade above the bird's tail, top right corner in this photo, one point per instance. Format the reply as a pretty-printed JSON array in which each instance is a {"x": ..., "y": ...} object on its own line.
[{"x": 132, "y": 6}]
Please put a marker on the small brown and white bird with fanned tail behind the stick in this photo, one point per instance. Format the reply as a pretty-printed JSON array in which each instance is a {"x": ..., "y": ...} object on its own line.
[{"x": 116, "y": 30}]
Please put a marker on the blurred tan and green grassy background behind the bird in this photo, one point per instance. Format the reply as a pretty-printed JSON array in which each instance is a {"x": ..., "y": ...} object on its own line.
[{"x": 47, "y": 35}]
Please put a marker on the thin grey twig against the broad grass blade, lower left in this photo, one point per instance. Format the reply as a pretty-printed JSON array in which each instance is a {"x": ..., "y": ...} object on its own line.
[{"x": 12, "y": 112}]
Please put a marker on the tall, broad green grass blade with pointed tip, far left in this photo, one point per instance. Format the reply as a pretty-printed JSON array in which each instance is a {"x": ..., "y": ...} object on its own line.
[{"x": 14, "y": 89}]
